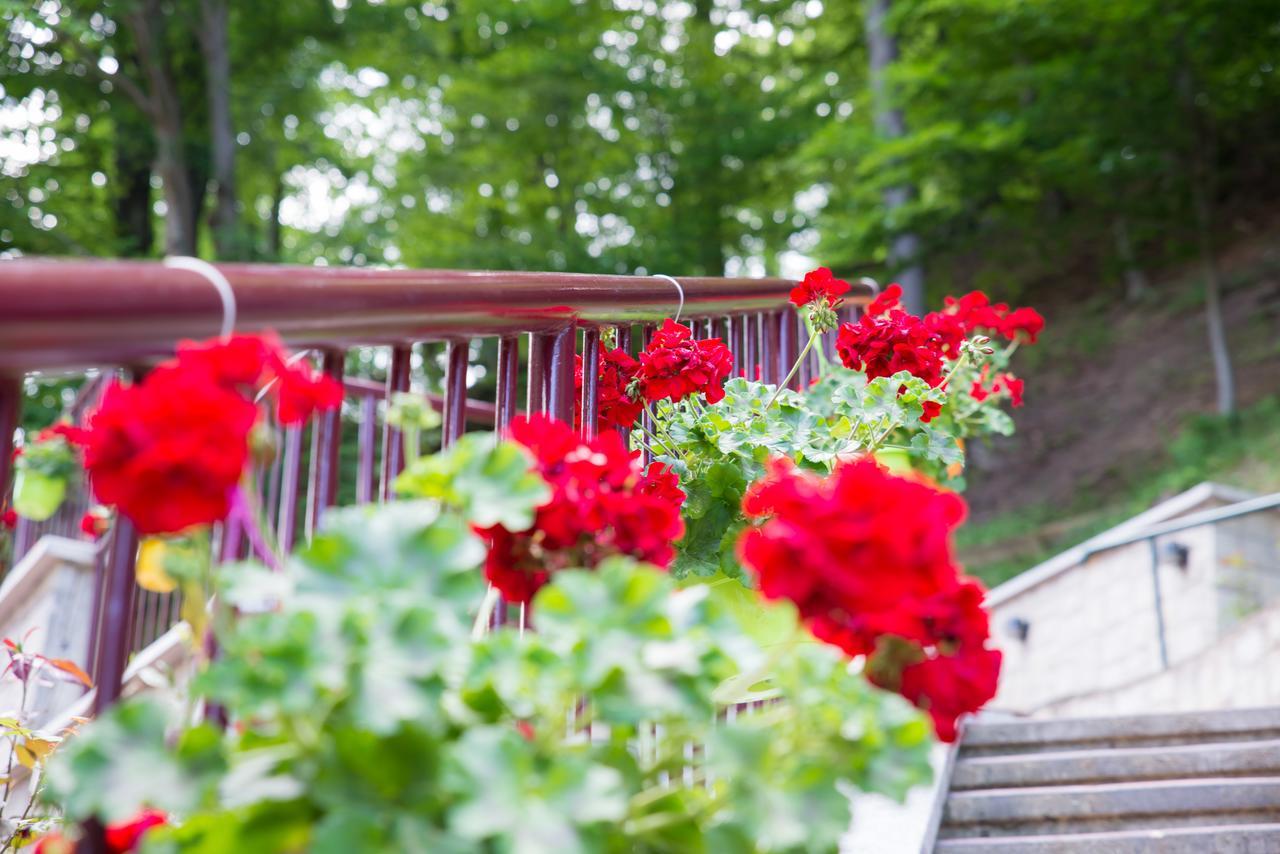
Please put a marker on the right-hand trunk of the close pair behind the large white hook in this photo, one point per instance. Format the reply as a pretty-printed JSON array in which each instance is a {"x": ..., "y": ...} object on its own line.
[{"x": 214, "y": 44}]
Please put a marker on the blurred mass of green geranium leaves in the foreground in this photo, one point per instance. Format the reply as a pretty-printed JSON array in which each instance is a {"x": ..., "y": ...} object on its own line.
[{"x": 369, "y": 718}]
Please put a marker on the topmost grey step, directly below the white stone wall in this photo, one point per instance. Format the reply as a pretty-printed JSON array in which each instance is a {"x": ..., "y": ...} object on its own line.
[{"x": 988, "y": 739}]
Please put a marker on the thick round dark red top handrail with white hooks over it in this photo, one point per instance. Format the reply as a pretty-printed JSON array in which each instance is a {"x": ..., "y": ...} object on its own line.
[{"x": 74, "y": 314}]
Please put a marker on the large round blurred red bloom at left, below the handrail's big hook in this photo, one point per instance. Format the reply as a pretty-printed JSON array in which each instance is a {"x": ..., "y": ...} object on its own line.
[{"x": 170, "y": 450}]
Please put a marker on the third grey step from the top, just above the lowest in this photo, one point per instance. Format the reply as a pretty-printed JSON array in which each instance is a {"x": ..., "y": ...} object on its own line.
[{"x": 1112, "y": 807}]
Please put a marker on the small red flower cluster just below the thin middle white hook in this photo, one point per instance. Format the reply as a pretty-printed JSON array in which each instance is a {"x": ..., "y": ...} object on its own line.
[{"x": 675, "y": 366}]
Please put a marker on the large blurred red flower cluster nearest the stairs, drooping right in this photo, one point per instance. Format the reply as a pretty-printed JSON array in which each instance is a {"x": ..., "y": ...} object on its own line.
[{"x": 866, "y": 558}]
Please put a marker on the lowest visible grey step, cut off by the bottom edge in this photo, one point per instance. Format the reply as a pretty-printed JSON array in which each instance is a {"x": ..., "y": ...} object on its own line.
[{"x": 1224, "y": 839}]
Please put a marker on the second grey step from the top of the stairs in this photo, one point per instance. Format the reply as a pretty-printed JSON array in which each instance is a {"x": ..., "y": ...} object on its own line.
[{"x": 1119, "y": 765}]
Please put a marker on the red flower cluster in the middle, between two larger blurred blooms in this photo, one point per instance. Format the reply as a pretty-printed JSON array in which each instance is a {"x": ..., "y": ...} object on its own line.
[{"x": 602, "y": 505}]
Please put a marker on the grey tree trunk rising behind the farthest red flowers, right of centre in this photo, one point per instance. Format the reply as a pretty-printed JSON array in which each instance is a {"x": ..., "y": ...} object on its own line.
[{"x": 904, "y": 254}]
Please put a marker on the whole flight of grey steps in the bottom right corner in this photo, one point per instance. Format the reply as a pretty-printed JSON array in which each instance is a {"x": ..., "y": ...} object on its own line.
[{"x": 1201, "y": 783}]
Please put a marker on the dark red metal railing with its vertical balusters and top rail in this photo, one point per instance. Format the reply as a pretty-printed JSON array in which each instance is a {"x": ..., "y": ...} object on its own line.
[{"x": 67, "y": 317}]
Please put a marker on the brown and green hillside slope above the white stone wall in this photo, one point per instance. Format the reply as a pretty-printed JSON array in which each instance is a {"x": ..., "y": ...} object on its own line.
[{"x": 1119, "y": 409}]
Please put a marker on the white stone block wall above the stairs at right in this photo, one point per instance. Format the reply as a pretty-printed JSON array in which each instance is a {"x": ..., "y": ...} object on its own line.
[{"x": 1094, "y": 631}]
